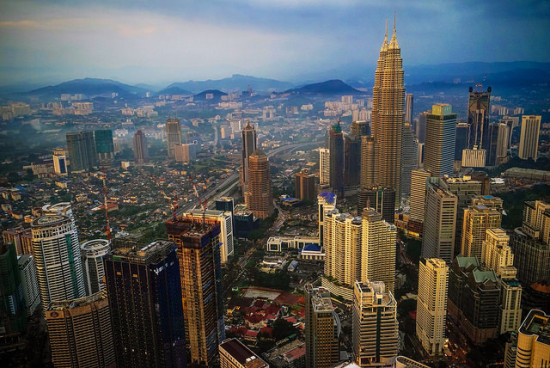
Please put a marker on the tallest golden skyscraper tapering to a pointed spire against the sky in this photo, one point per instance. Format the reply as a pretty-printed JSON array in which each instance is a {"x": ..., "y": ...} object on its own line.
[{"x": 388, "y": 114}]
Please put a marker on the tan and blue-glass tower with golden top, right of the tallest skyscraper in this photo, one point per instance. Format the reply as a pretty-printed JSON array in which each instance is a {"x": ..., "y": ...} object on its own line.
[{"x": 440, "y": 140}]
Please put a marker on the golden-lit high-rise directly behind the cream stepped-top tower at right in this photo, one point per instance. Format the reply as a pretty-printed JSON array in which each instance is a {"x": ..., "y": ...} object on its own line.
[{"x": 484, "y": 213}]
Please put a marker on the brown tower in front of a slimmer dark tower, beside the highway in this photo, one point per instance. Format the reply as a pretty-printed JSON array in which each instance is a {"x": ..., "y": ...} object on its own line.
[{"x": 258, "y": 195}]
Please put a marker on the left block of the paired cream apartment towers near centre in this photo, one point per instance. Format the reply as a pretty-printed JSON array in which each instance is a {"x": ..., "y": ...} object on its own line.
[{"x": 342, "y": 244}]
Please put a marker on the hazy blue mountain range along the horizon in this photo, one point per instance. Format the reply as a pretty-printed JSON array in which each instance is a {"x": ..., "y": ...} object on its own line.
[{"x": 504, "y": 75}]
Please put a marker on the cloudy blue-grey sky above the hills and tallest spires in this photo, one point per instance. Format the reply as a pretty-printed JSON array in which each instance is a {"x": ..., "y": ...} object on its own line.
[{"x": 162, "y": 41}]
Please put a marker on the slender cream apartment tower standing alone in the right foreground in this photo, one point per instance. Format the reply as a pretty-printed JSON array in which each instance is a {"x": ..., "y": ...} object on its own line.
[{"x": 431, "y": 306}]
